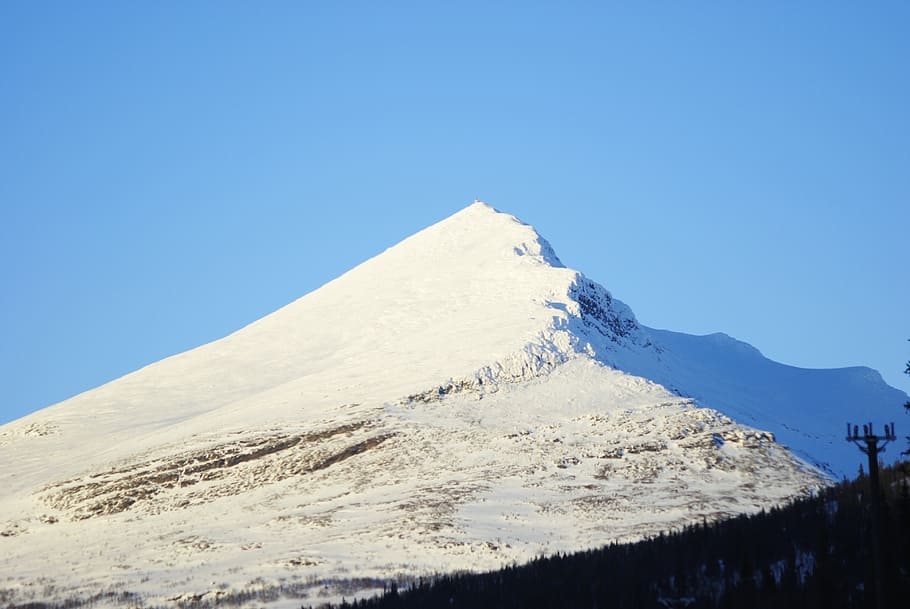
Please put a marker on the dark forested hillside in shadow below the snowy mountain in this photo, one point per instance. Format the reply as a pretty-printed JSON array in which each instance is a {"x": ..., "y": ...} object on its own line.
[{"x": 813, "y": 553}]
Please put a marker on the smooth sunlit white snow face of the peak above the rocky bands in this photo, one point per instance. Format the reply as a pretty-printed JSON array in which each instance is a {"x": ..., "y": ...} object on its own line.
[{"x": 478, "y": 293}]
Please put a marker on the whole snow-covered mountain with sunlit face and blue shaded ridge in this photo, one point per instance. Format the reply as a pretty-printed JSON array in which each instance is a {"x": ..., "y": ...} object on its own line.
[{"x": 460, "y": 401}]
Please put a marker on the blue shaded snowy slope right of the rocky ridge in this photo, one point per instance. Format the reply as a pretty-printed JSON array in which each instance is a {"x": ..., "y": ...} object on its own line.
[{"x": 806, "y": 409}]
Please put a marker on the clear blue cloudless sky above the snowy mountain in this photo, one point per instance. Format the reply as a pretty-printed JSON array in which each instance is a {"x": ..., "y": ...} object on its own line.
[{"x": 171, "y": 171}]
